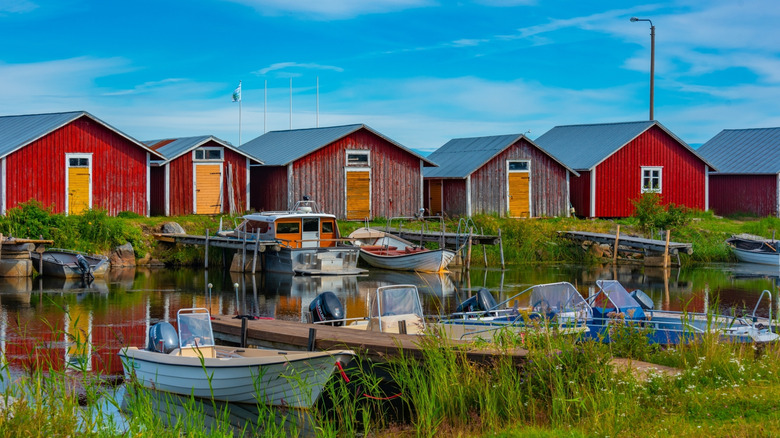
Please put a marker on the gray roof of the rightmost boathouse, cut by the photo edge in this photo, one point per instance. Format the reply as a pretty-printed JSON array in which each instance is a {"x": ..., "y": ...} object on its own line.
[{"x": 751, "y": 151}]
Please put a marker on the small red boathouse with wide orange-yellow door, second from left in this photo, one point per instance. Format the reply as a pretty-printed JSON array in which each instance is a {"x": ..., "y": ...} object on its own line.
[{"x": 200, "y": 175}]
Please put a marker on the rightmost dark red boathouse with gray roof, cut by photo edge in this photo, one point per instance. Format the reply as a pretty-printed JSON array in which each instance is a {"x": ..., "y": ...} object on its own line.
[{"x": 748, "y": 176}]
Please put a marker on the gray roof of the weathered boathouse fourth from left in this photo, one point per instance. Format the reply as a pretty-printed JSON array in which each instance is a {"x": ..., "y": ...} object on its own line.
[{"x": 460, "y": 157}]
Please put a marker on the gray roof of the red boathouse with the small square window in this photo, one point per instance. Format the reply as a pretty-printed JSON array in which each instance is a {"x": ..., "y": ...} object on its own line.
[{"x": 583, "y": 147}]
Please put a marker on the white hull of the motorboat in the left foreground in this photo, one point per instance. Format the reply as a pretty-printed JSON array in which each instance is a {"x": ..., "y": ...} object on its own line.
[{"x": 279, "y": 378}]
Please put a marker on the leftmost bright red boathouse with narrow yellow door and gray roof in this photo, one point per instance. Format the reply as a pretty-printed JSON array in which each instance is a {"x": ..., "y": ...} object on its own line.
[{"x": 72, "y": 162}]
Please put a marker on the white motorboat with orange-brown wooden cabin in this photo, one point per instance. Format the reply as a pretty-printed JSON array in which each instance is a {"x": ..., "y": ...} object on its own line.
[{"x": 309, "y": 241}]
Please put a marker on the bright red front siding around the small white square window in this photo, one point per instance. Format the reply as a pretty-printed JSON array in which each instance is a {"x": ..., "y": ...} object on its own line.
[{"x": 618, "y": 178}]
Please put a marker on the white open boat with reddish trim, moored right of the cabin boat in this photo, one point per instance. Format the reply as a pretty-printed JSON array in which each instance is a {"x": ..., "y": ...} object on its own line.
[{"x": 383, "y": 250}]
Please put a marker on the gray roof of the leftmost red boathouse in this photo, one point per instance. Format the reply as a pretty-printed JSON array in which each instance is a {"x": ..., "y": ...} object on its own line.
[{"x": 17, "y": 132}]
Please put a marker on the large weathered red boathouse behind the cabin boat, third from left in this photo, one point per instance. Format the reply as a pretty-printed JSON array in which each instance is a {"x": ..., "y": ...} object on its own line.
[{"x": 352, "y": 171}]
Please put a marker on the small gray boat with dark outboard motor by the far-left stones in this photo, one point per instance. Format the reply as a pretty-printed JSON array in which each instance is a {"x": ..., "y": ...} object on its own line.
[{"x": 65, "y": 263}]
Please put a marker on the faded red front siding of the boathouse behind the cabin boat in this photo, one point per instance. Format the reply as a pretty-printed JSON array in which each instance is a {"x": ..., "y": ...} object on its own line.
[{"x": 395, "y": 176}]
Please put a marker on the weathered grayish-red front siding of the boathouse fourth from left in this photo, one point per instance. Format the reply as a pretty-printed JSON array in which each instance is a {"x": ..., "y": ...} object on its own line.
[{"x": 548, "y": 183}]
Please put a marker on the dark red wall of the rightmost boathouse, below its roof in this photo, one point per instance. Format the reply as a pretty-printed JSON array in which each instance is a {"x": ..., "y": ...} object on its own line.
[{"x": 735, "y": 194}]
